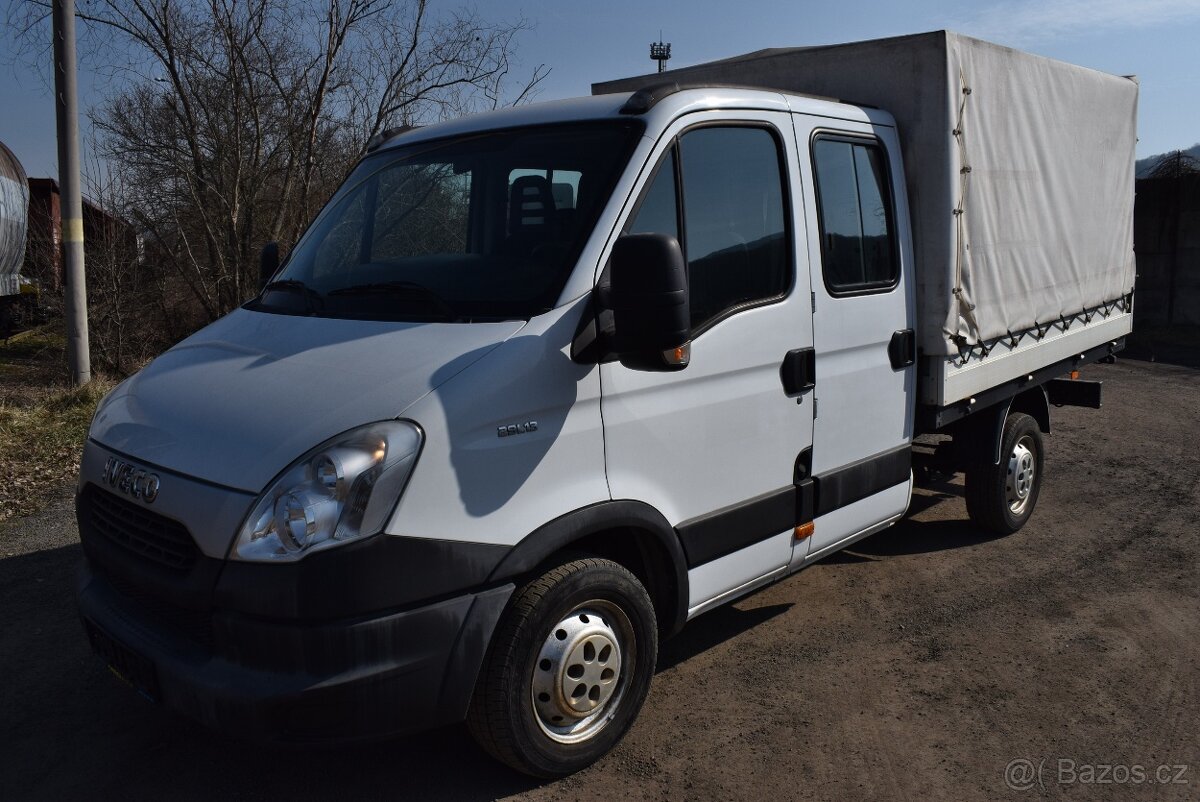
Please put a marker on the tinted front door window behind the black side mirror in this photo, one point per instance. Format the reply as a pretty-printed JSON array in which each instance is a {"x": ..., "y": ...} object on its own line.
[{"x": 735, "y": 234}]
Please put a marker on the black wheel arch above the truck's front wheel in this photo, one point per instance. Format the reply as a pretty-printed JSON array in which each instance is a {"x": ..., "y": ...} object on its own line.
[{"x": 628, "y": 532}]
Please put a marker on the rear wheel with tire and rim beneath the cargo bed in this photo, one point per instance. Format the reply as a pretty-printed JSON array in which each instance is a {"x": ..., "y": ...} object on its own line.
[{"x": 1001, "y": 498}]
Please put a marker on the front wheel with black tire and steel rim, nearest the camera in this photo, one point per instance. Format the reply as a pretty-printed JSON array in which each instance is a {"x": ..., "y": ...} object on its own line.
[{"x": 579, "y": 643}]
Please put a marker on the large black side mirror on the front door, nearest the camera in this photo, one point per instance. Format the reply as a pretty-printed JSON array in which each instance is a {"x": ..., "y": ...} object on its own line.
[{"x": 652, "y": 318}]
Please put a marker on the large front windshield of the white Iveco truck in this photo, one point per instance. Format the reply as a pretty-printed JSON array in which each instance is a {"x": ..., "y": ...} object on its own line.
[{"x": 482, "y": 228}]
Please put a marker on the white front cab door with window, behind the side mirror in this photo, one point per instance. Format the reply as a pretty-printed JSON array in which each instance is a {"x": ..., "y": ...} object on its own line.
[{"x": 715, "y": 447}]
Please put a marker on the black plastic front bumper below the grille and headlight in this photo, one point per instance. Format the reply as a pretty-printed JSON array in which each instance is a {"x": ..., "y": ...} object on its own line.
[{"x": 345, "y": 680}]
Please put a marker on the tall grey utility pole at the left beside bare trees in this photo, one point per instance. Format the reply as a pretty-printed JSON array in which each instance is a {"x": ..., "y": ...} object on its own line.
[{"x": 71, "y": 202}]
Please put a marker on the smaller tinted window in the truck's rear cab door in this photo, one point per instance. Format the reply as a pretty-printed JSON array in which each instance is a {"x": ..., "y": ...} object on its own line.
[{"x": 857, "y": 235}]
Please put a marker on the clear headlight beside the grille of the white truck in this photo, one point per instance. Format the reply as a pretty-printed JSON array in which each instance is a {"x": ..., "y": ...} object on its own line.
[{"x": 343, "y": 490}]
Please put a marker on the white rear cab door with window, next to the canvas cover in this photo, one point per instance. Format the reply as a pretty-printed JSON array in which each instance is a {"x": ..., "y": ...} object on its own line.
[{"x": 862, "y": 283}]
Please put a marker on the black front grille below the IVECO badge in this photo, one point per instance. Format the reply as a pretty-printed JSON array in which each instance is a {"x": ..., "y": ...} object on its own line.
[{"x": 135, "y": 529}]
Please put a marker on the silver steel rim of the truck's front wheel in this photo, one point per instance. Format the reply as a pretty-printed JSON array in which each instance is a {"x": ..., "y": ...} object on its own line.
[{"x": 581, "y": 672}]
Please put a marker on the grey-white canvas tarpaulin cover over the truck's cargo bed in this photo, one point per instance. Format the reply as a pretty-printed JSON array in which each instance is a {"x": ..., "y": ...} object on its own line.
[{"x": 1021, "y": 172}]
